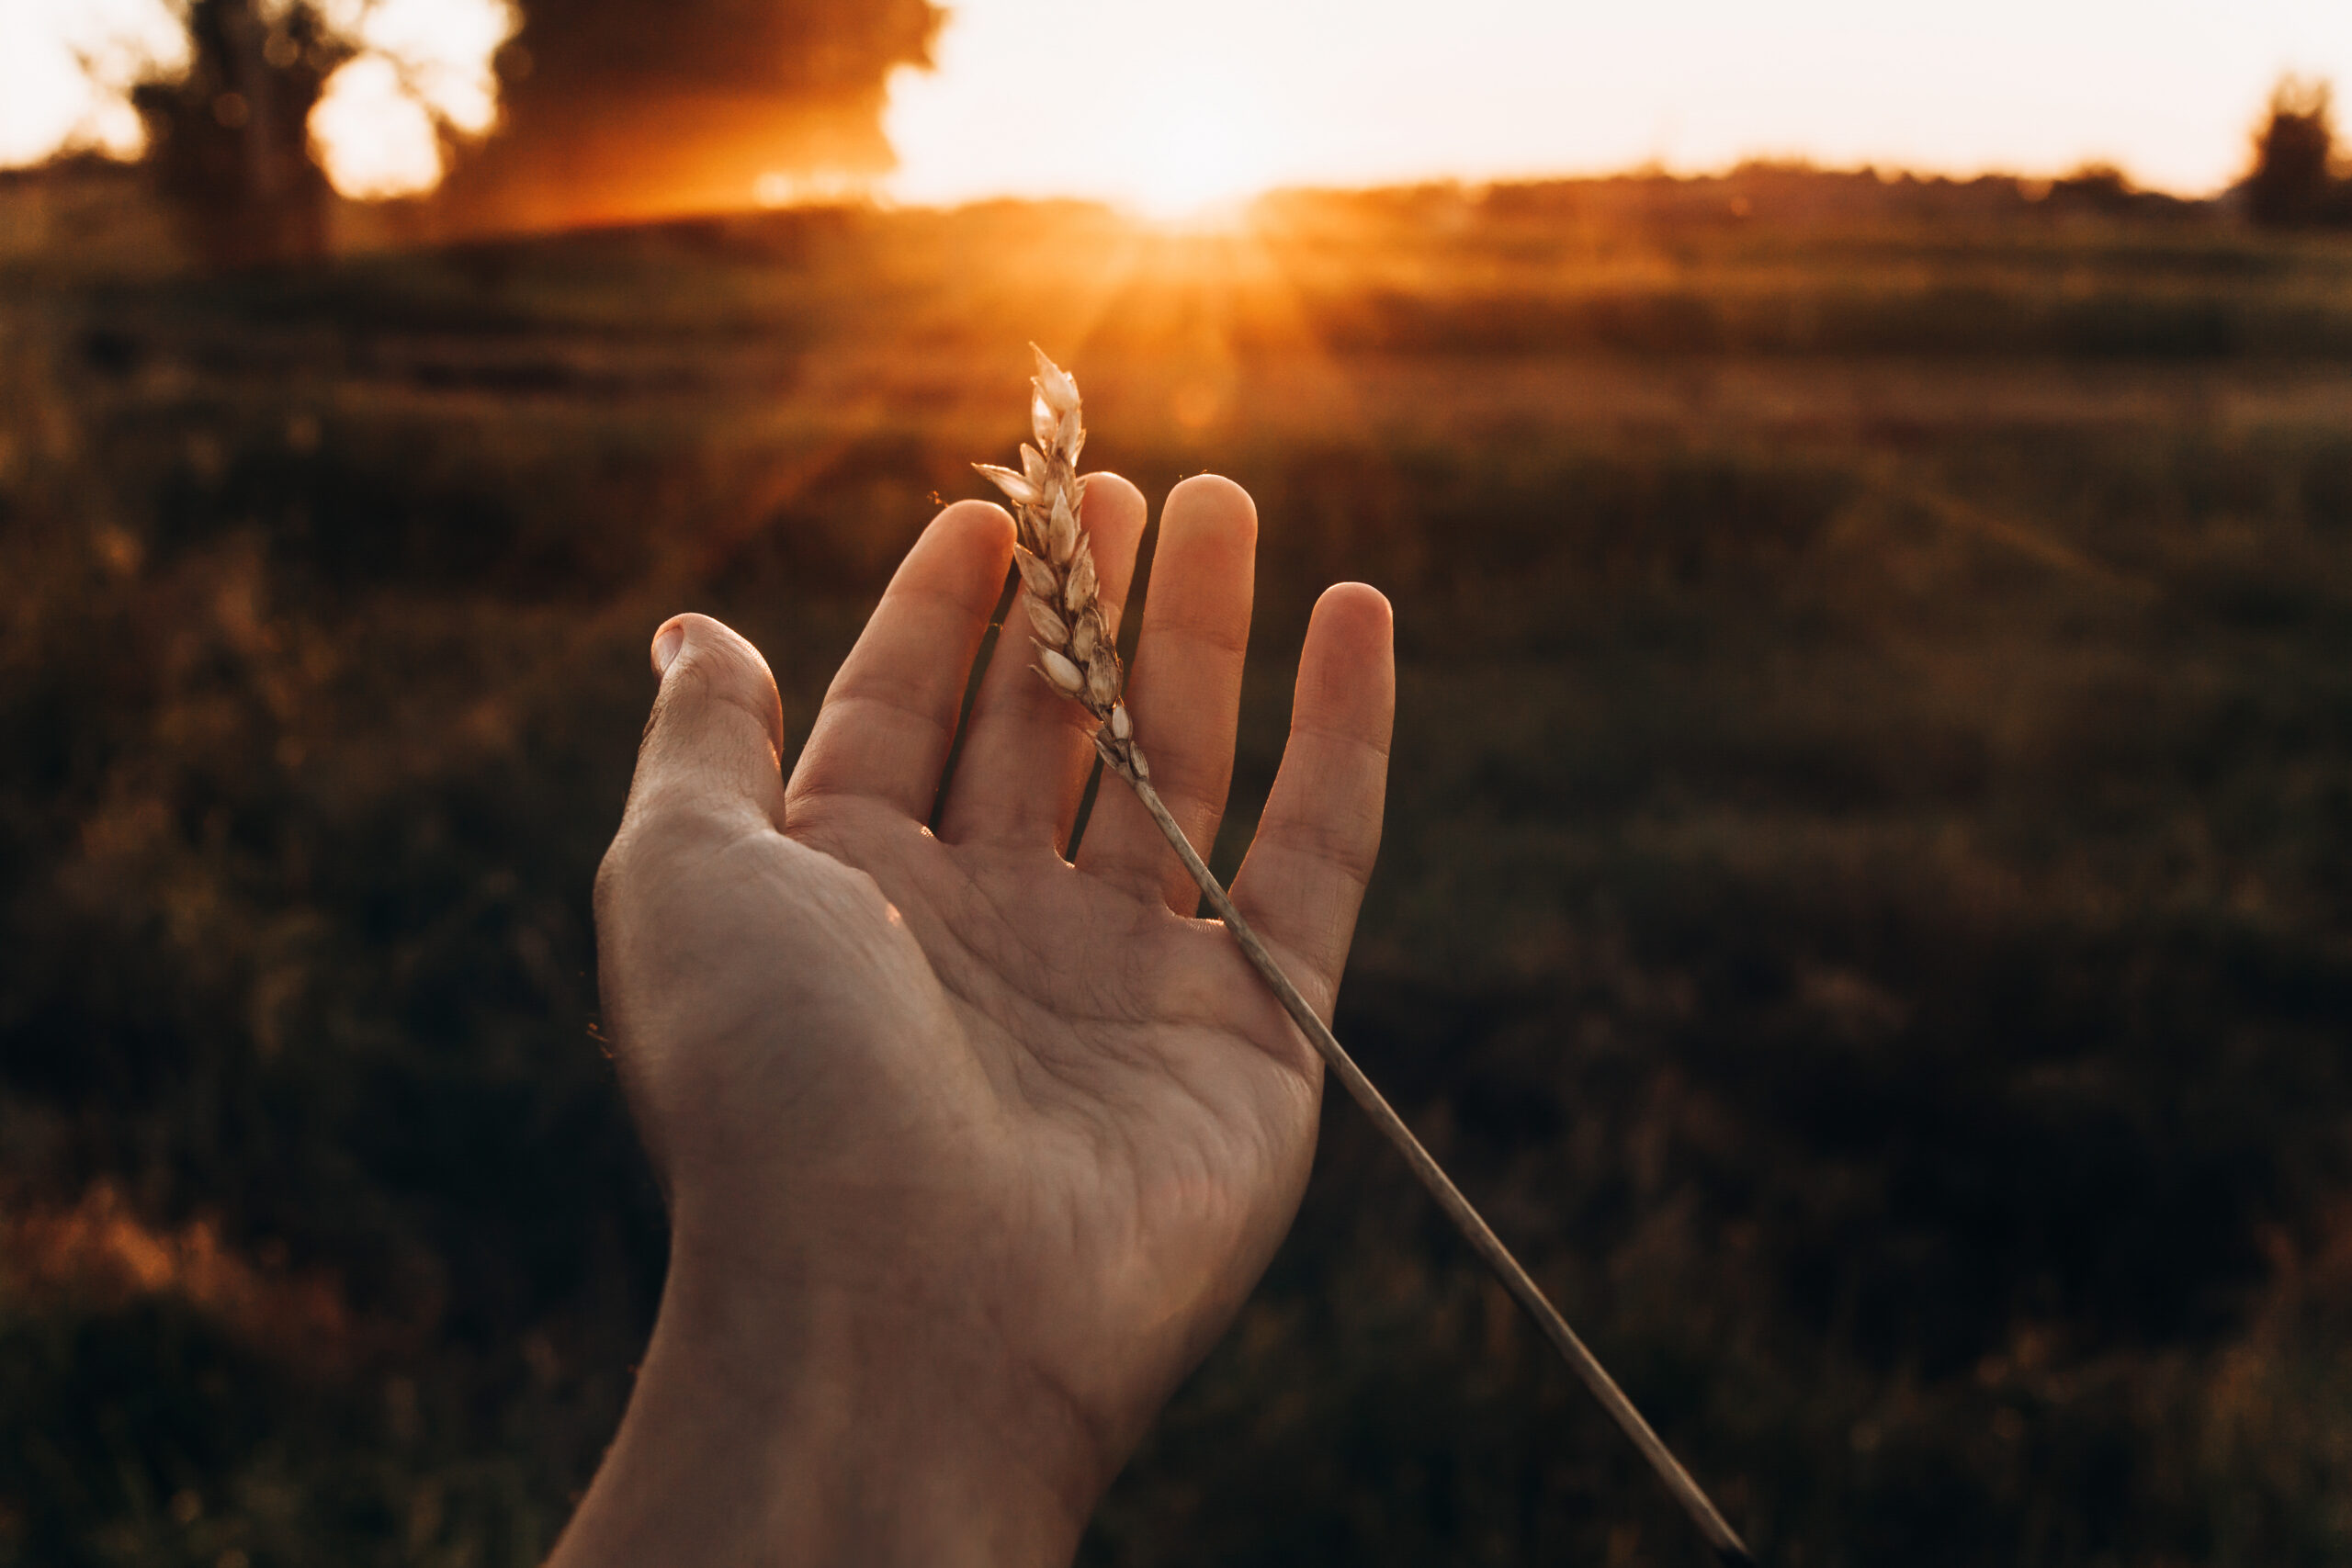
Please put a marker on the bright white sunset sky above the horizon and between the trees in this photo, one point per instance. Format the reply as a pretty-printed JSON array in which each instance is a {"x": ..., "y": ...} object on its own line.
[{"x": 1172, "y": 105}]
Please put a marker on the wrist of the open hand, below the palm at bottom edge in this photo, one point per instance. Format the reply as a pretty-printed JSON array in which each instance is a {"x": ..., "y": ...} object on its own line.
[{"x": 784, "y": 1421}]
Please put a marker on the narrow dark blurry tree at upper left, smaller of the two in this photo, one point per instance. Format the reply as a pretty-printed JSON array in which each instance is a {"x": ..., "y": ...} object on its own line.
[{"x": 229, "y": 142}]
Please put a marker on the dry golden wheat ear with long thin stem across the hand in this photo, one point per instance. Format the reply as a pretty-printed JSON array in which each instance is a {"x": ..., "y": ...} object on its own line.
[{"x": 1074, "y": 636}]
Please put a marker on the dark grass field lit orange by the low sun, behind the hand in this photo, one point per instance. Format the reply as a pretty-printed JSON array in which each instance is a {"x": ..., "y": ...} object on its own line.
[{"x": 1866, "y": 906}]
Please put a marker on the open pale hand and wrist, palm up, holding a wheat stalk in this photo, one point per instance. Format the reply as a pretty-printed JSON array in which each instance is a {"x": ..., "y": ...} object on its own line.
[{"x": 970, "y": 1151}]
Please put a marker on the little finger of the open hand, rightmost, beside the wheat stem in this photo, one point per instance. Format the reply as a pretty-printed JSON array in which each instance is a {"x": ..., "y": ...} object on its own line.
[{"x": 1304, "y": 878}]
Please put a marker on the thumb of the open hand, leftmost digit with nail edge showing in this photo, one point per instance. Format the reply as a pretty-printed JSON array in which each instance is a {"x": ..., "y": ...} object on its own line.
[{"x": 716, "y": 737}]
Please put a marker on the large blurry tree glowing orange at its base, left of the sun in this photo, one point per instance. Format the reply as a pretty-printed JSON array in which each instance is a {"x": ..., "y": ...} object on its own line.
[{"x": 627, "y": 109}]
